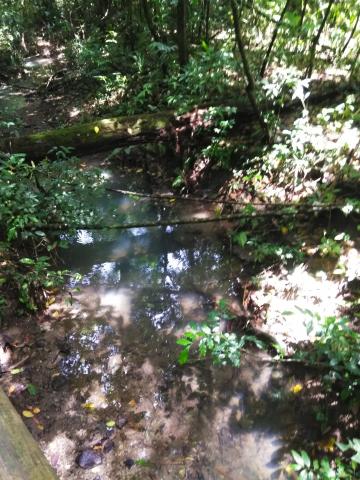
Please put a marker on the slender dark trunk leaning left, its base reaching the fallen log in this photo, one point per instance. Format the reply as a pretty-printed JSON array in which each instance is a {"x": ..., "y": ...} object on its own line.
[{"x": 250, "y": 88}]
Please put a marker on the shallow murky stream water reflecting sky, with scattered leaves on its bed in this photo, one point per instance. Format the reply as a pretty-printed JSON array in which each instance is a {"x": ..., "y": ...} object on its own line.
[{"x": 138, "y": 290}]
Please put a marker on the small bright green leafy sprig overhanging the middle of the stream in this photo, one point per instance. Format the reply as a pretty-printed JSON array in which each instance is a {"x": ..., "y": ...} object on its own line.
[{"x": 210, "y": 338}]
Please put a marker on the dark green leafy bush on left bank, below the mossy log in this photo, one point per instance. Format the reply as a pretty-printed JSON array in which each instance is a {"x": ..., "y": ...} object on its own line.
[{"x": 33, "y": 197}]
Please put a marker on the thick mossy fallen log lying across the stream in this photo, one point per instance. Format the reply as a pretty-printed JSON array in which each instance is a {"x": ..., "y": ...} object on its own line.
[{"x": 104, "y": 134}]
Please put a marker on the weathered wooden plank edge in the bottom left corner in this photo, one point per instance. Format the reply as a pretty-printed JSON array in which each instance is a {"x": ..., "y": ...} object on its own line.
[{"x": 20, "y": 456}]
